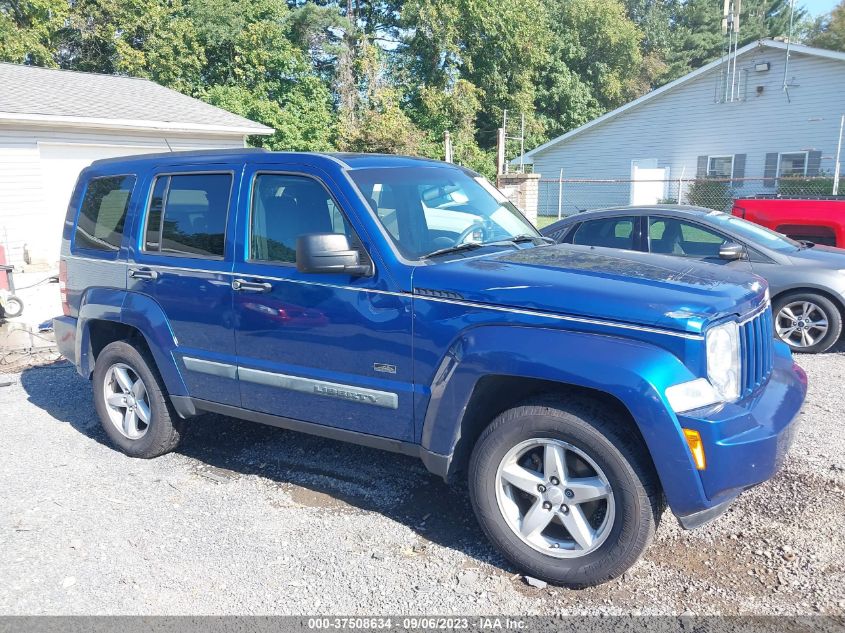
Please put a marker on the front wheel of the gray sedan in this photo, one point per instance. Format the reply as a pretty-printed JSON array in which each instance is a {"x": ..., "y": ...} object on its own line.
[{"x": 807, "y": 321}]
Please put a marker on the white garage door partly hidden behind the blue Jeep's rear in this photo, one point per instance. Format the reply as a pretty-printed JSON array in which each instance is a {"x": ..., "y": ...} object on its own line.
[{"x": 60, "y": 167}]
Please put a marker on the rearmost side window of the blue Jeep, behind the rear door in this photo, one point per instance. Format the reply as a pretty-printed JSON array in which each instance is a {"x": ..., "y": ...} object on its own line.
[{"x": 102, "y": 215}]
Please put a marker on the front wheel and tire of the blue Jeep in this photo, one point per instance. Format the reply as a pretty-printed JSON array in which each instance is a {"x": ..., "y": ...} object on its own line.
[{"x": 564, "y": 491}]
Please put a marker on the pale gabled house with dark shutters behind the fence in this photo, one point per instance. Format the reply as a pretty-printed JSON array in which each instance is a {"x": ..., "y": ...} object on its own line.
[{"x": 773, "y": 112}]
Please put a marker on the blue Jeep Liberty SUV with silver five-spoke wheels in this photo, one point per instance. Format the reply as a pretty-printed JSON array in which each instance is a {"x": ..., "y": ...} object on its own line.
[{"x": 405, "y": 304}]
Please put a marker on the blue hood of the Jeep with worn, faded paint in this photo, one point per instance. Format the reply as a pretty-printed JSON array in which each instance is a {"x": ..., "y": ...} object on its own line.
[{"x": 601, "y": 283}]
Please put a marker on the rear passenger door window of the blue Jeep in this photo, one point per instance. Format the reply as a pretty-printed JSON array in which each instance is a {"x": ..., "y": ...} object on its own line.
[{"x": 188, "y": 214}]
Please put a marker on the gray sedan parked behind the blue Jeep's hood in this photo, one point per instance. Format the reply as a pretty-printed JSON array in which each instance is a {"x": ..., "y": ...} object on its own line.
[{"x": 806, "y": 280}]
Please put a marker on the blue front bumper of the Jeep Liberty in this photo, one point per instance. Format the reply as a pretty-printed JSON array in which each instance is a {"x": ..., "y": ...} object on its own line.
[{"x": 746, "y": 442}]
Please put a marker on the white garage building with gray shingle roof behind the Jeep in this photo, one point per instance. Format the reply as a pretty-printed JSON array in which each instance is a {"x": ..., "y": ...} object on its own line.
[{"x": 53, "y": 123}]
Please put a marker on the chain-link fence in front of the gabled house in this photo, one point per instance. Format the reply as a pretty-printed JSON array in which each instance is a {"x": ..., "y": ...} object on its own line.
[{"x": 561, "y": 197}]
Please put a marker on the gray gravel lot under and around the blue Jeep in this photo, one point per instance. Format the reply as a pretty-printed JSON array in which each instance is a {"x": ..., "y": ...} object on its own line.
[{"x": 247, "y": 519}]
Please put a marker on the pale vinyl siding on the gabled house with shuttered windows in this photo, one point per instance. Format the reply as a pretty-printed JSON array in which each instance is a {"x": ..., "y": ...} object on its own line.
[{"x": 685, "y": 122}]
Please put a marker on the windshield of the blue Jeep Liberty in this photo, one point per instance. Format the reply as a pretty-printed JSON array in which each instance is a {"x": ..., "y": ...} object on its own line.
[{"x": 428, "y": 209}]
